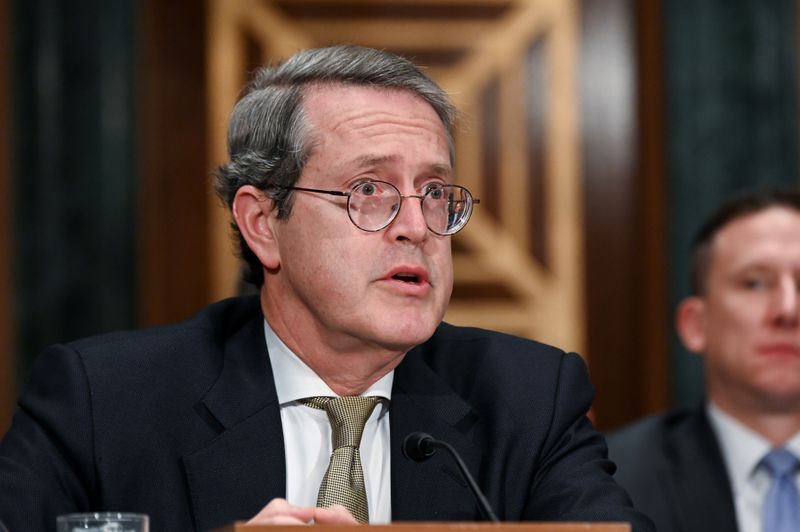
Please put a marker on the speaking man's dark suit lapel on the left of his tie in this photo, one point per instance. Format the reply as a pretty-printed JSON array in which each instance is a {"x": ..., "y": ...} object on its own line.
[{"x": 239, "y": 471}]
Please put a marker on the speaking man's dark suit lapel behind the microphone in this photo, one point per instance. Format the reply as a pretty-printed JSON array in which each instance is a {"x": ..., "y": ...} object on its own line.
[{"x": 434, "y": 489}]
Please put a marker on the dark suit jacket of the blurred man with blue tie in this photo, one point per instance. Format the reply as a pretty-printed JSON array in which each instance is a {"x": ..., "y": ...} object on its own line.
[{"x": 672, "y": 467}]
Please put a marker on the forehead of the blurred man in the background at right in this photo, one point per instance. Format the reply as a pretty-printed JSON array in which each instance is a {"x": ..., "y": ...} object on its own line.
[{"x": 768, "y": 237}]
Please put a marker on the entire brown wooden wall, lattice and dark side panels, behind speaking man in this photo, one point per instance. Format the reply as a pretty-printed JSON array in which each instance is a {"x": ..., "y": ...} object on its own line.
[{"x": 546, "y": 242}]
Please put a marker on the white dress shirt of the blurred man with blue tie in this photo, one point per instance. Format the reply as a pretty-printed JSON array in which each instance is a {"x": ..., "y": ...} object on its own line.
[{"x": 742, "y": 450}]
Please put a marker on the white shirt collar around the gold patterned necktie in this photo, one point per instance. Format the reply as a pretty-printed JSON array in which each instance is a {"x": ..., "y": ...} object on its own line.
[{"x": 294, "y": 380}]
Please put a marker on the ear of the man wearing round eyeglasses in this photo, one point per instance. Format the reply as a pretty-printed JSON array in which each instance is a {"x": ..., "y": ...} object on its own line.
[{"x": 255, "y": 215}]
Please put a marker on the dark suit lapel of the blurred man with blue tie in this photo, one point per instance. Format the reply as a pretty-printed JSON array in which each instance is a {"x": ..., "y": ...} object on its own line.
[{"x": 698, "y": 477}]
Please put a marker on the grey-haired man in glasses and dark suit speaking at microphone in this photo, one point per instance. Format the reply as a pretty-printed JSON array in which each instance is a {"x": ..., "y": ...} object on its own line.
[{"x": 340, "y": 186}]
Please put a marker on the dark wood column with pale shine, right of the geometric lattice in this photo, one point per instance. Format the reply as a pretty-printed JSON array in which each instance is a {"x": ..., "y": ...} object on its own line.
[{"x": 623, "y": 176}]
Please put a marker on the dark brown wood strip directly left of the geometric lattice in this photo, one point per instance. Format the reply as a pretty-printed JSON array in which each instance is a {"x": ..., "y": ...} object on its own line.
[{"x": 174, "y": 174}]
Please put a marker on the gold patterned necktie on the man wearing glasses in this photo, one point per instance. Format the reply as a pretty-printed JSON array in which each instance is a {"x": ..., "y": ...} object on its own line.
[{"x": 343, "y": 483}]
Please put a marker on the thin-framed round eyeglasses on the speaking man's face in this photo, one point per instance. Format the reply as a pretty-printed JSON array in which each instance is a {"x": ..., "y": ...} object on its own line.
[{"x": 373, "y": 205}]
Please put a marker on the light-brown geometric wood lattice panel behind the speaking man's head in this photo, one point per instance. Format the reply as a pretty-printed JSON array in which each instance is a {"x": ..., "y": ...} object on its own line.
[{"x": 510, "y": 68}]
